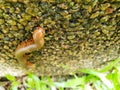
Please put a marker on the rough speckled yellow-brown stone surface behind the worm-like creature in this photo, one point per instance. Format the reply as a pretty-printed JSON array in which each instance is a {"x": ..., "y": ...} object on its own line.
[{"x": 79, "y": 34}]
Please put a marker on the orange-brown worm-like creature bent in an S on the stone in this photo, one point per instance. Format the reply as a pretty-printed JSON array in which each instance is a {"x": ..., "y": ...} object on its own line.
[{"x": 35, "y": 43}]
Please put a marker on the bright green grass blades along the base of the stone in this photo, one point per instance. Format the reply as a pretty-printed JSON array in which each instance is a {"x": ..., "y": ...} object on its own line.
[{"x": 107, "y": 78}]
